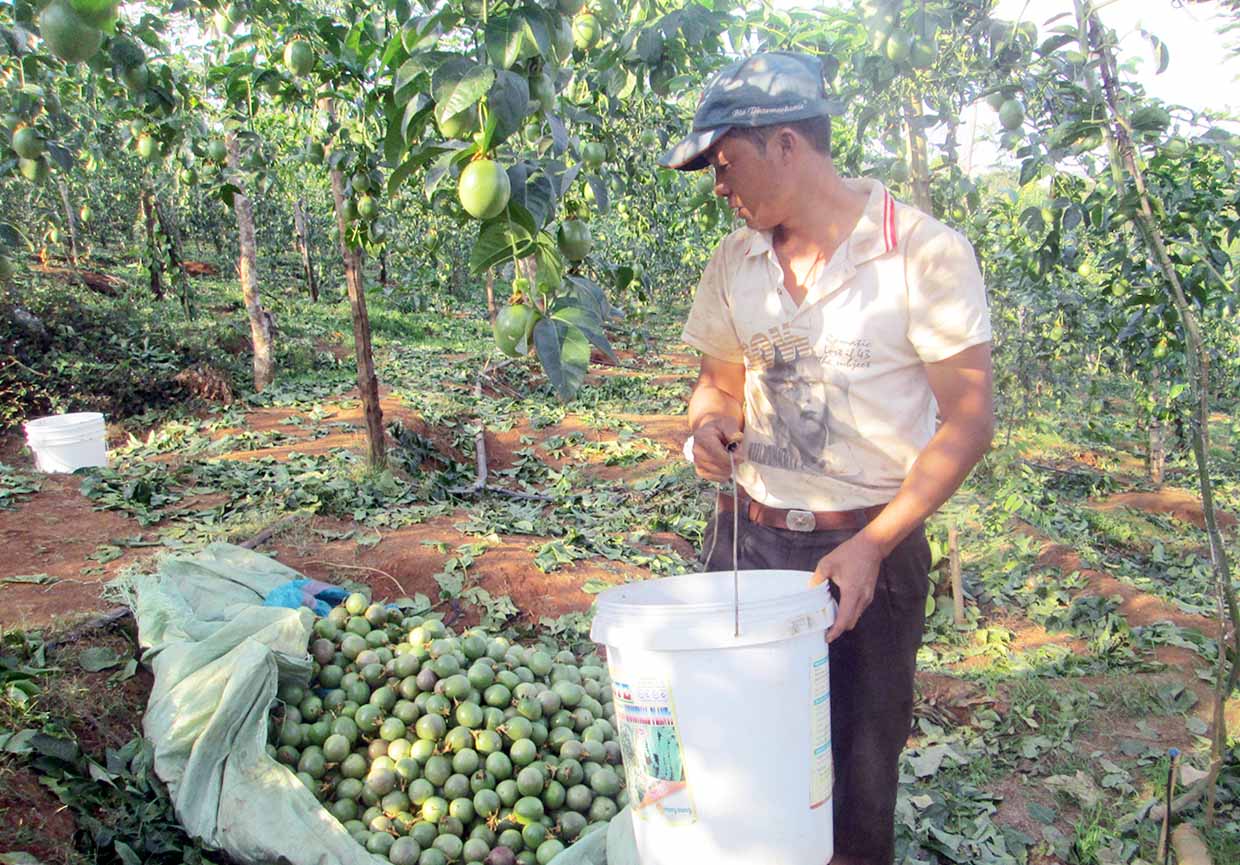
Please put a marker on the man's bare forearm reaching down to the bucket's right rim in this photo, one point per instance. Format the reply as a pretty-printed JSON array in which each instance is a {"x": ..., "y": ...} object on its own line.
[{"x": 941, "y": 469}]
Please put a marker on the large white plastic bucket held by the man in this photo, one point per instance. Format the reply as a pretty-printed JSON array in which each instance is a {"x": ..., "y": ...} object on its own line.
[{"x": 727, "y": 740}]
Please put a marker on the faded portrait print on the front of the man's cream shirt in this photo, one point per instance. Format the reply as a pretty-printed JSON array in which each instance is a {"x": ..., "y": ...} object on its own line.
[{"x": 803, "y": 419}]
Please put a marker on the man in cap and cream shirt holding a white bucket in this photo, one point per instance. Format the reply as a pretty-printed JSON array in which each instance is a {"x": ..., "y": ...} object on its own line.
[{"x": 834, "y": 328}]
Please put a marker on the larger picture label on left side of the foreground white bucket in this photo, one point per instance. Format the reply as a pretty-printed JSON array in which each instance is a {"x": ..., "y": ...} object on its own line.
[{"x": 654, "y": 759}]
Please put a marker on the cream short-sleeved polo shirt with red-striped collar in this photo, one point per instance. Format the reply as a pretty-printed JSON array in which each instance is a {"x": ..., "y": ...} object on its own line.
[{"x": 838, "y": 402}]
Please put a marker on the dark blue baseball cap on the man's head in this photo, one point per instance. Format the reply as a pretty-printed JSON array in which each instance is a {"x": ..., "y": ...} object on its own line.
[{"x": 759, "y": 91}]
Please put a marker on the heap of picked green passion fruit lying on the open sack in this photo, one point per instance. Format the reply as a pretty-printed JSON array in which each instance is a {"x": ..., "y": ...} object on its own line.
[{"x": 433, "y": 749}]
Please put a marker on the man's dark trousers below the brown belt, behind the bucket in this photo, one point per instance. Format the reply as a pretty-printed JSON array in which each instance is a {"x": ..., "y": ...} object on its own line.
[{"x": 872, "y": 671}]
